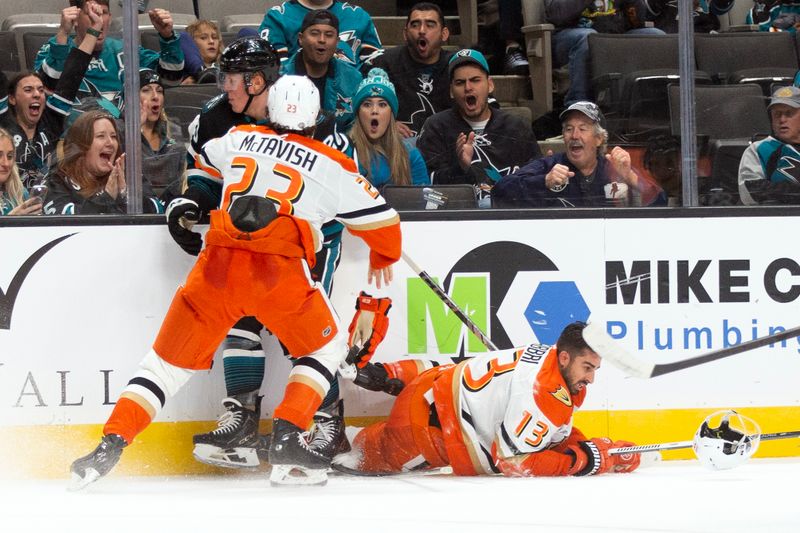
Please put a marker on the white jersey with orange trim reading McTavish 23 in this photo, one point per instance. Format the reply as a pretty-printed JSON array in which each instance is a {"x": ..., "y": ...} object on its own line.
[{"x": 304, "y": 178}]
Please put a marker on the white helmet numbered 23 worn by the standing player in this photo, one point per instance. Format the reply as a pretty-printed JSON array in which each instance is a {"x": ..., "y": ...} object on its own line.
[{"x": 293, "y": 103}]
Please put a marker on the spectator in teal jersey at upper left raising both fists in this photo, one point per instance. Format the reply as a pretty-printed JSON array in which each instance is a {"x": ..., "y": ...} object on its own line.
[{"x": 103, "y": 78}]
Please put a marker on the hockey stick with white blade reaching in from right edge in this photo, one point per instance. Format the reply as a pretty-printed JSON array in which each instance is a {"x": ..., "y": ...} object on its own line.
[{"x": 610, "y": 349}]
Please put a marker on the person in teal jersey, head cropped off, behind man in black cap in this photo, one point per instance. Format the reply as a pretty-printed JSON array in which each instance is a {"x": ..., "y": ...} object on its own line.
[{"x": 357, "y": 37}]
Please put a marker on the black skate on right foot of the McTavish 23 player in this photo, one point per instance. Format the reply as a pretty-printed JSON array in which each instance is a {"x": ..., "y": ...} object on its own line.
[{"x": 293, "y": 461}]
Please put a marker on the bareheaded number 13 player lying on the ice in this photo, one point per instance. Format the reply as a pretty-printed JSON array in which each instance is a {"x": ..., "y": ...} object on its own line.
[{"x": 508, "y": 412}]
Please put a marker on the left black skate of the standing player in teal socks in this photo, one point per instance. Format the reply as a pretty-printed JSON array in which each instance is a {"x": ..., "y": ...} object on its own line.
[{"x": 233, "y": 443}]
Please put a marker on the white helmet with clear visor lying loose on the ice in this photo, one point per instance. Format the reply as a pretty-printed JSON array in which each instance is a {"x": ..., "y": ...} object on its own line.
[{"x": 725, "y": 440}]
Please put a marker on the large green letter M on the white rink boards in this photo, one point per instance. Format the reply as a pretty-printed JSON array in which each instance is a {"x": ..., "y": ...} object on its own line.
[{"x": 428, "y": 314}]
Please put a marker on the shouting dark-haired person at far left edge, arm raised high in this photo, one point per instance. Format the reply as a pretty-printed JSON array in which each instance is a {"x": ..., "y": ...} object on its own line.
[{"x": 35, "y": 120}]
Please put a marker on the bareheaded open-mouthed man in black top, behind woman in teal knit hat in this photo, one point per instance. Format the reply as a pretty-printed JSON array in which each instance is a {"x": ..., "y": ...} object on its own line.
[{"x": 419, "y": 69}]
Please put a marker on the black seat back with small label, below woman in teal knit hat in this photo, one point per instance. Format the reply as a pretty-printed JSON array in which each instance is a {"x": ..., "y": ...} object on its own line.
[{"x": 415, "y": 197}]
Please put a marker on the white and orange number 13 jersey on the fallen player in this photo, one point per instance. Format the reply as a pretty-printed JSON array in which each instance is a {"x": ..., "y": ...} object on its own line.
[{"x": 515, "y": 399}]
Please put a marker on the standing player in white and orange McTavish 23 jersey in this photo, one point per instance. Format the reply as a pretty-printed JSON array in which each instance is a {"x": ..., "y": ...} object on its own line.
[{"x": 266, "y": 173}]
